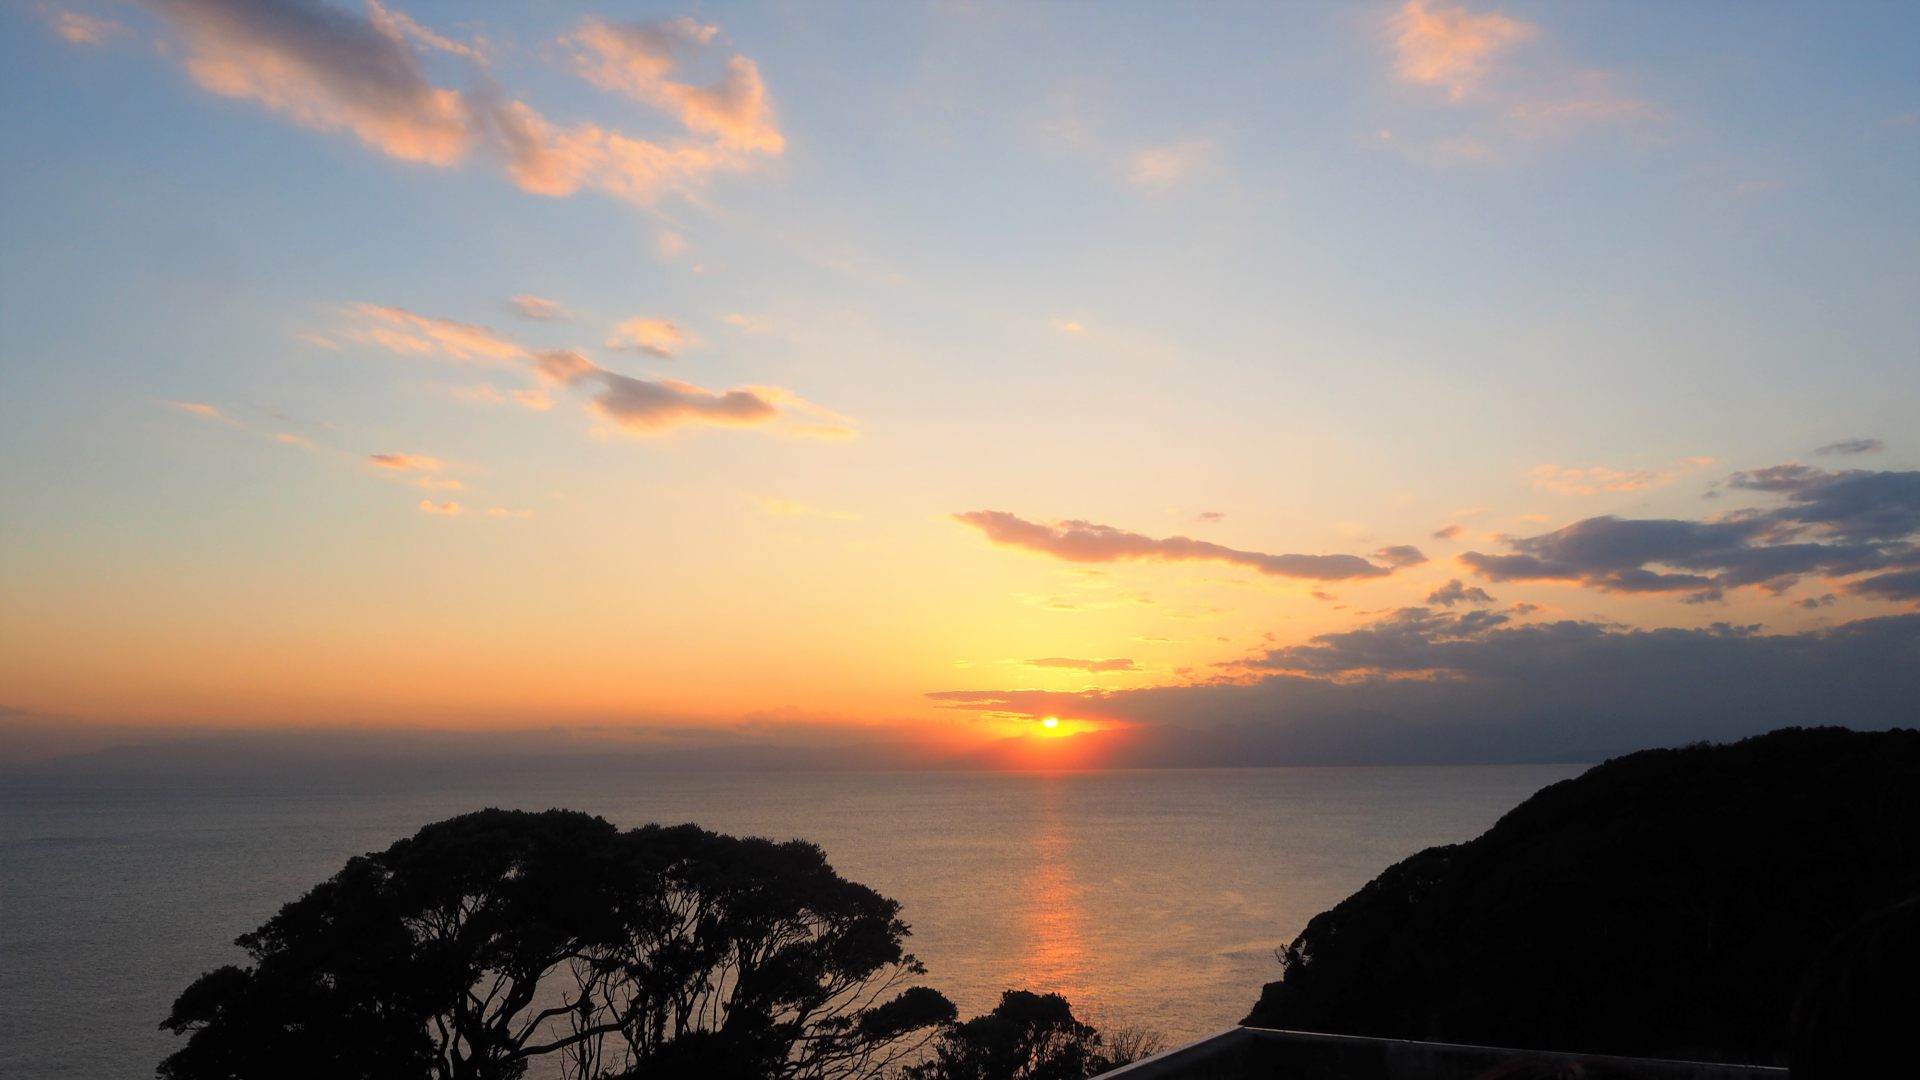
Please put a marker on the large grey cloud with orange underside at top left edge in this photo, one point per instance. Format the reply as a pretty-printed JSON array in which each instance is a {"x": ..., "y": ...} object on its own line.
[{"x": 325, "y": 70}]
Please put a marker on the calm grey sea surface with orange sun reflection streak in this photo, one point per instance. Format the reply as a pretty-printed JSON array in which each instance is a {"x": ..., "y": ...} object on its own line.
[{"x": 1149, "y": 898}]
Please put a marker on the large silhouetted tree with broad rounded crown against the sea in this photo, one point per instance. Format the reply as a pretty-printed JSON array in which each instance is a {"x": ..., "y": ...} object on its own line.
[{"x": 500, "y": 937}]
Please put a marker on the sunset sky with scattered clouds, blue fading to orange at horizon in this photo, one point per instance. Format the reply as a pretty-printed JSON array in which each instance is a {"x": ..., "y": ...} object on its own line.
[{"x": 1236, "y": 385}]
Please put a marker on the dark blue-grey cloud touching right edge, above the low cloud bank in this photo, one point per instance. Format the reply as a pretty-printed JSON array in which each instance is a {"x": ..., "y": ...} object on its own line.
[{"x": 1829, "y": 524}]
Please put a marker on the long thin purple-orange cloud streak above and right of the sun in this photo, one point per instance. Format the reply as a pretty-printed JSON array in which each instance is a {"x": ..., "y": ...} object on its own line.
[{"x": 1088, "y": 543}]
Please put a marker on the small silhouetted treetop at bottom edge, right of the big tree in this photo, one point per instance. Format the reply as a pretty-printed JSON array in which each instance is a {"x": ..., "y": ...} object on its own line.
[{"x": 1028, "y": 1037}]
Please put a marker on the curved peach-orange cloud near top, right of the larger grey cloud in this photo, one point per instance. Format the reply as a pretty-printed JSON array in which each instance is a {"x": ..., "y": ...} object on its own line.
[{"x": 636, "y": 61}]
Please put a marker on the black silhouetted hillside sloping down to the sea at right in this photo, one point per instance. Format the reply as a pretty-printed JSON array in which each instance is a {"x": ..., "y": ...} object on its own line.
[{"x": 1662, "y": 904}]
